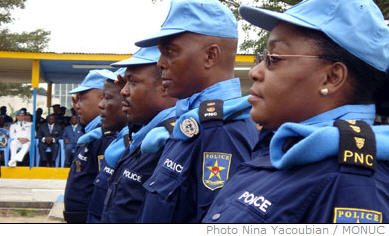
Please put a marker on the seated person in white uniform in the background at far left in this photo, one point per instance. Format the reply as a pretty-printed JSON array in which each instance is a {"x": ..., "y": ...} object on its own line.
[{"x": 20, "y": 133}]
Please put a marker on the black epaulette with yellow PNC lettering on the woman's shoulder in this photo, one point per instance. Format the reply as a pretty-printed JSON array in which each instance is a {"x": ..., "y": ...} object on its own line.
[{"x": 357, "y": 144}]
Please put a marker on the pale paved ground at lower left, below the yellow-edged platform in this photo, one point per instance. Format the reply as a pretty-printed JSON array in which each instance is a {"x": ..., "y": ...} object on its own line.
[{"x": 20, "y": 200}]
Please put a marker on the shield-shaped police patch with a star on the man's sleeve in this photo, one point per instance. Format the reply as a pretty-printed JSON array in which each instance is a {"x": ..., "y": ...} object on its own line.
[{"x": 216, "y": 167}]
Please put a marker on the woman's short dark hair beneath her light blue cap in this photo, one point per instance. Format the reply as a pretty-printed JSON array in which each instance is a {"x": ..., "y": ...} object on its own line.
[{"x": 367, "y": 79}]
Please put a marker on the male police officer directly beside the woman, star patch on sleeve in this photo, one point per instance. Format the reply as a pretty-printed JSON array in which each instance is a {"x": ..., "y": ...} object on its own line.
[{"x": 213, "y": 131}]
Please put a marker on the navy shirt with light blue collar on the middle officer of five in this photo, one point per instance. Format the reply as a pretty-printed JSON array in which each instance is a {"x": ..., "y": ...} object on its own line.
[{"x": 126, "y": 193}]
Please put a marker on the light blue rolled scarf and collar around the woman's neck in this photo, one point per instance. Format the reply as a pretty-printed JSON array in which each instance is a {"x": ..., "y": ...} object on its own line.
[{"x": 318, "y": 139}]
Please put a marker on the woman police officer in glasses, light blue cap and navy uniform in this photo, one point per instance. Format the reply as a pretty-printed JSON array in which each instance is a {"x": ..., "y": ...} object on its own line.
[{"x": 314, "y": 90}]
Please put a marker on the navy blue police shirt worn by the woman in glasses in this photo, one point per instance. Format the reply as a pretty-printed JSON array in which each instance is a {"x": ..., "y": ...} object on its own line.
[{"x": 322, "y": 191}]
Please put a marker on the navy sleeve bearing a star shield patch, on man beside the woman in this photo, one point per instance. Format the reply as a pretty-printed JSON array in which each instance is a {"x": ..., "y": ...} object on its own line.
[{"x": 223, "y": 149}]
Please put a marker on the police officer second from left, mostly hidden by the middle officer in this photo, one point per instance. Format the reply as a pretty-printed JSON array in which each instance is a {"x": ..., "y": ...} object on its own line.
[{"x": 114, "y": 120}]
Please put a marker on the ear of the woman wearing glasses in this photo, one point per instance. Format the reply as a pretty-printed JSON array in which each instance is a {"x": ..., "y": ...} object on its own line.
[{"x": 336, "y": 78}]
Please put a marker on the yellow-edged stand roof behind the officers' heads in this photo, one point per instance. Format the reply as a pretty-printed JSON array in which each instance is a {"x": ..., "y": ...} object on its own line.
[{"x": 16, "y": 67}]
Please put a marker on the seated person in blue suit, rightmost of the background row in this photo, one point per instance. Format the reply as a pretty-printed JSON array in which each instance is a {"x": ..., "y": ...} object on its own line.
[{"x": 70, "y": 136}]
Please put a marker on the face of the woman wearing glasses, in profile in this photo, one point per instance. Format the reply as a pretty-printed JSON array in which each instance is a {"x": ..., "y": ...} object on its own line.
[{"x": 286, "y": 89}]
